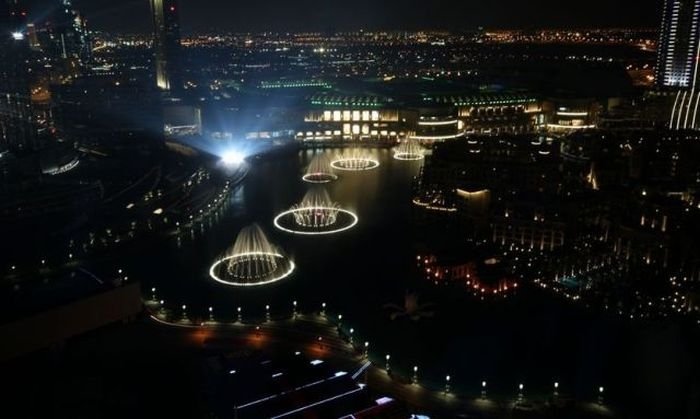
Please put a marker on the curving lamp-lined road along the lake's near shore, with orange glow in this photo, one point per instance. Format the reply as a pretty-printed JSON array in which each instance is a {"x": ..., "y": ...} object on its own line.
[{"x": 318, "y": 338}]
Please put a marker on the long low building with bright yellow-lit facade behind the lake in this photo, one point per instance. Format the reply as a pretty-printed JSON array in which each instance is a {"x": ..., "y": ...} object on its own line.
[{"x": 427, "y": 119}]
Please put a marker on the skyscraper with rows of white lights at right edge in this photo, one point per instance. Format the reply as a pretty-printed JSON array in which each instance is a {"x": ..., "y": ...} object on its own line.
[{"x": 677, "y": 61}]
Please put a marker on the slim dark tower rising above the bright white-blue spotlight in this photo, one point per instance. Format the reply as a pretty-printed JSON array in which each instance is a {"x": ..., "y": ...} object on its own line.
[{"x": 166, "y": 26}]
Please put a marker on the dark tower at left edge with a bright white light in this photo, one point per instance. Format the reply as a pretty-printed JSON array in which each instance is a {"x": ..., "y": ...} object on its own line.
[{"x": 17, "y": 128}]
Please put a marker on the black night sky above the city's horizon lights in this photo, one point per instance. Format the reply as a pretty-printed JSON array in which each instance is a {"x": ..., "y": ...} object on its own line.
[{"x": 330, "y": 15}]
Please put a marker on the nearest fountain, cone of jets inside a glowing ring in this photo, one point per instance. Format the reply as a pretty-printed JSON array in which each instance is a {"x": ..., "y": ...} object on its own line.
[{"x": 252, "y": 261}]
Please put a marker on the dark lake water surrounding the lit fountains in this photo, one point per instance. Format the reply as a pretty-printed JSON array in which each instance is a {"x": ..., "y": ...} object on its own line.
[{"x": 530, "y": 337}]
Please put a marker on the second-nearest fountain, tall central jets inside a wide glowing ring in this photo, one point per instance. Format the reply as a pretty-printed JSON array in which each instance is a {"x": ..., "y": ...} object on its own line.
[{"x": 316, "y": 214}]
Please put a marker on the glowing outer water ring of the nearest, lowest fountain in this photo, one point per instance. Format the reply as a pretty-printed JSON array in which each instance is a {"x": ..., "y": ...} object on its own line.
[{"x": 219, "y": 271}]
